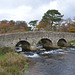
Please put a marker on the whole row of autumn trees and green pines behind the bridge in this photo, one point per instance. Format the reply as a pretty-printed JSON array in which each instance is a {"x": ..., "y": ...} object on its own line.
[{"x": 51, "y": 21}]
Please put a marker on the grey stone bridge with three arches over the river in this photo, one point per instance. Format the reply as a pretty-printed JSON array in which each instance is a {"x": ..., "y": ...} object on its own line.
[{"x": 34, "y": 37}]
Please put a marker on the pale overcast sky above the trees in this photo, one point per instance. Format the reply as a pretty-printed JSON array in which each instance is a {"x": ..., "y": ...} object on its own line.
[{"x": 28, "y": 10}]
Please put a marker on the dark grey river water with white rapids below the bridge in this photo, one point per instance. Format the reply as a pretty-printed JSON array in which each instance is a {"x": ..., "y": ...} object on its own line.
[{"x": 52, "y": 62}]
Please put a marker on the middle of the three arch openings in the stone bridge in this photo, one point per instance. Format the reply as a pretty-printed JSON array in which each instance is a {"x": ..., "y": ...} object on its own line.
[{"x": 46, "y": 43}]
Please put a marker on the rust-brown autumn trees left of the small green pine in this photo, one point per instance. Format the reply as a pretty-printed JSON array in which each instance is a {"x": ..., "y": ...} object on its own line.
[{"x": 12, "y": 26}]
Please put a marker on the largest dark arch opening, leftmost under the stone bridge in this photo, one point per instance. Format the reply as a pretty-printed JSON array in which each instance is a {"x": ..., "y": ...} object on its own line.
[{"x": 24, "y": 44}]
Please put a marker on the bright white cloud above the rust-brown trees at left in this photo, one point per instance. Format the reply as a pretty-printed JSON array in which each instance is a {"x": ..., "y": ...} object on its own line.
[{"x": 16, "y": 14}]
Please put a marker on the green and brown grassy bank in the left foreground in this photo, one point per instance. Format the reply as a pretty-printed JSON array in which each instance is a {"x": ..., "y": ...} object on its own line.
[{"x": 12, "y": 63}]
